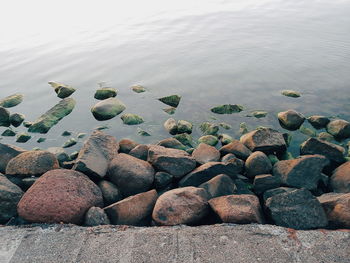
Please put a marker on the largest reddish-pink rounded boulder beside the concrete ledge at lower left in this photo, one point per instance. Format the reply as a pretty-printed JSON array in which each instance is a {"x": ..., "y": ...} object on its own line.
[{"x": 59, "y": 196}]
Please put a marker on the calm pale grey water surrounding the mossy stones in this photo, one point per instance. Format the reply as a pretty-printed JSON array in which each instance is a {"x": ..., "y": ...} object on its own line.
[{"x": 209, "y": 52}]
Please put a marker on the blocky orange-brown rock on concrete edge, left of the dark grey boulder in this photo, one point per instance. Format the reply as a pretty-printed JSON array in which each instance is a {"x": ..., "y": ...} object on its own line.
[{"x": 241, "y": 209}]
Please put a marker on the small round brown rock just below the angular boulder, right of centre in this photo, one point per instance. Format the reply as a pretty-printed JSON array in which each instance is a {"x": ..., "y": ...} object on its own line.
[{"x": 257, "y": 163}]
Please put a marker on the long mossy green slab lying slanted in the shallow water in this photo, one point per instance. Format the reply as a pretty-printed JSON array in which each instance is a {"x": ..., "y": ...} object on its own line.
[{"x": 53, "y": 116}]
